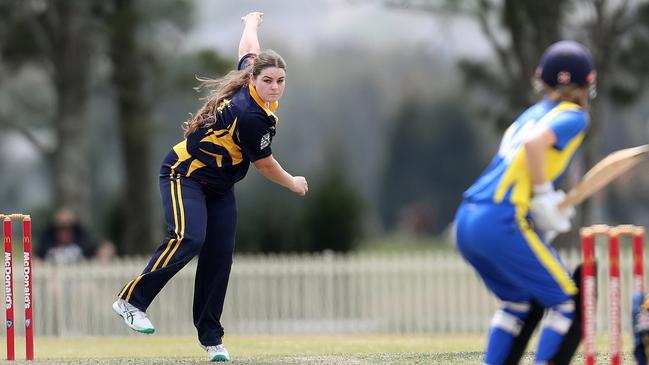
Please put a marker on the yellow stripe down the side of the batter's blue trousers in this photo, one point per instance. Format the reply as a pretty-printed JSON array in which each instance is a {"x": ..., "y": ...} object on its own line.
[{"x": 554, "y": 267}]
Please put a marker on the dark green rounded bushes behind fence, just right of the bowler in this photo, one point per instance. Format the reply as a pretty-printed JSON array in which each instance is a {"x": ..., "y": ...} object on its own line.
[{"x": 273, "y": 219}]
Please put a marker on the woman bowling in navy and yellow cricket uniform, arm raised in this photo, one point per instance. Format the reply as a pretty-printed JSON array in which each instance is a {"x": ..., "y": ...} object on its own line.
[{"x": 233, "y": 128}]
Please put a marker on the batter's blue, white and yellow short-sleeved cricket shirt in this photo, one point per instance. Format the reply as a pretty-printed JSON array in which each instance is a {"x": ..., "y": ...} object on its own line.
[{"x": 507, "y": 178}]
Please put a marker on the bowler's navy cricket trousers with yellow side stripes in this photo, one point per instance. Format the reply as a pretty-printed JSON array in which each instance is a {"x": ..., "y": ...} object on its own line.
[{"x": 198, "y": 224}]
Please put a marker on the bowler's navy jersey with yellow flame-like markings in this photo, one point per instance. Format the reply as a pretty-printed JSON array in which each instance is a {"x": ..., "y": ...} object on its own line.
[{"x": 219, "y": 155}]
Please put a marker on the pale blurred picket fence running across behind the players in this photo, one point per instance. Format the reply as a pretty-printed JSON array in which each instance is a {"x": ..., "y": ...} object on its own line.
[{"x": 395, "y": 293}]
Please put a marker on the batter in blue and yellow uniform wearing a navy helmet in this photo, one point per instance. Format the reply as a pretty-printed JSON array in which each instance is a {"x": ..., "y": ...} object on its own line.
[{"x": 511, "y": 212}]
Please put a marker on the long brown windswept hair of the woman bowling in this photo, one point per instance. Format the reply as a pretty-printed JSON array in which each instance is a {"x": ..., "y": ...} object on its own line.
[{"x": 225, "y": 87}]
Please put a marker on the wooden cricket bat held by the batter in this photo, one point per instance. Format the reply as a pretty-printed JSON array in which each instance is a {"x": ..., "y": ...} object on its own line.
[{"x": 605, "y": 171}]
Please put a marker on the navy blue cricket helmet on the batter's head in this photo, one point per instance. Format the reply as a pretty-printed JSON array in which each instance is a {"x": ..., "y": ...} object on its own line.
[{"x": 566, "y": 62}]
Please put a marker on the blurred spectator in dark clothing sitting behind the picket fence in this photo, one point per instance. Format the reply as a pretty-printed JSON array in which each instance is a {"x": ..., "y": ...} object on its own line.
[{"x": 65, "y": 240}]
